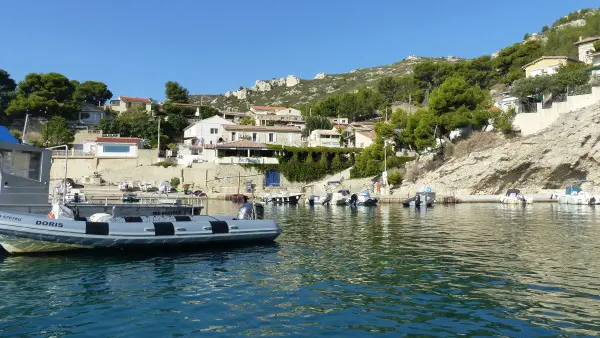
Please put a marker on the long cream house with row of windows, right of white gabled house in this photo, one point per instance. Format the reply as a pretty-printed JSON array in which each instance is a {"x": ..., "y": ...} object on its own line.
[{"x": 288, "y": 136}]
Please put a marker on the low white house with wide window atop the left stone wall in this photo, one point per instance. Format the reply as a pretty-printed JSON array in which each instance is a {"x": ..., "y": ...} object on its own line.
[{"x": 113, "y": 147}]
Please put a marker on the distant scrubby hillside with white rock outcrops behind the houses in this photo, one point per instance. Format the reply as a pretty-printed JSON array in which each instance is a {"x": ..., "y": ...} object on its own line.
[{"x": 309, "y": 90}]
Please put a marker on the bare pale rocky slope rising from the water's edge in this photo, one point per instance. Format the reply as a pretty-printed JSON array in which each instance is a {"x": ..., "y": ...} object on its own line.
[{"x": 566, "y": 151}]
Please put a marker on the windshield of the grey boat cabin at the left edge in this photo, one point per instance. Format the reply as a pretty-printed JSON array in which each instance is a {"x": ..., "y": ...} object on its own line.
[{"x": 26, "y": 164}]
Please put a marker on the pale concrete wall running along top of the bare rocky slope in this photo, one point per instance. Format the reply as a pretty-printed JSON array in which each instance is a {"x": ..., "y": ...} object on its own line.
[{"x": 531, "y": 123}]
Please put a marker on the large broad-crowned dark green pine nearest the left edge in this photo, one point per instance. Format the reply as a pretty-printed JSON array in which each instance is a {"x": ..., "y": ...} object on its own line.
[{"x": 44, "y": 94}]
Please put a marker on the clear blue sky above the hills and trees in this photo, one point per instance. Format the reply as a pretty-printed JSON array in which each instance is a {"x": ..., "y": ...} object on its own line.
[{"x": 208, "y": 46}]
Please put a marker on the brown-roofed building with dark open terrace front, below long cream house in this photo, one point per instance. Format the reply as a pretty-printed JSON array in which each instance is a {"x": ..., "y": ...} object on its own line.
[{"x": 243, "y": 152}]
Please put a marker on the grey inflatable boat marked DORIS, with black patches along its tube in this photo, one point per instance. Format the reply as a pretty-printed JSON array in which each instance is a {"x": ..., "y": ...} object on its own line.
[{"x": 60, "y": 230}]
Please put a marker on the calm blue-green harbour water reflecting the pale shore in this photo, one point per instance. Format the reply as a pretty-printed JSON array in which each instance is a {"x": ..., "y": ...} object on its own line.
[{"x": 467, "y": 269}]
